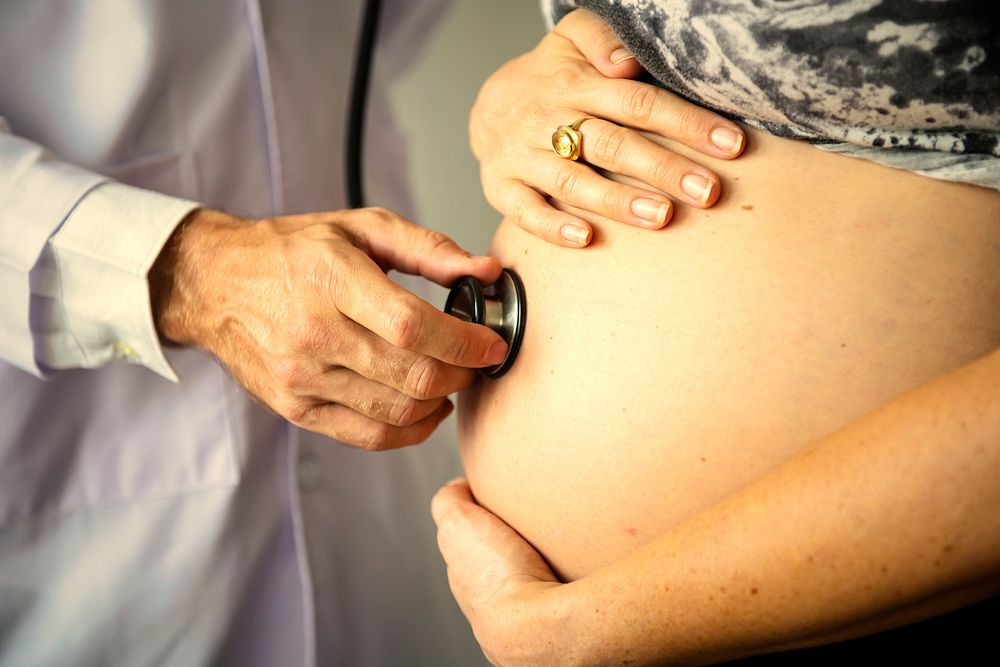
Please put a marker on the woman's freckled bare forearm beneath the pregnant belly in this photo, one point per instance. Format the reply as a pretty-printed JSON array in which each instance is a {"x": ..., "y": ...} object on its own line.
[{"x": 889, "y": 520}]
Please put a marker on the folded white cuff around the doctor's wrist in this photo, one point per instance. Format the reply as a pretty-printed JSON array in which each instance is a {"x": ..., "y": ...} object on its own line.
[{"x": 102, "y": 254}]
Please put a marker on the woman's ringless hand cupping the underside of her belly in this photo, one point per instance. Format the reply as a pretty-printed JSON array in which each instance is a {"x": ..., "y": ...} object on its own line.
[{"x": 501, "y": 583}]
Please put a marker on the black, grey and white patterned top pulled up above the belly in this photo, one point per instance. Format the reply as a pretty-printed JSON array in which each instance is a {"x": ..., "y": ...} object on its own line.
[{"x": 913, "y": 84}]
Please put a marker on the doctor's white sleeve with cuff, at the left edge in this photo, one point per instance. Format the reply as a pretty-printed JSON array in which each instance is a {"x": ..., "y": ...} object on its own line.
[{"x": 74, "y": 263}]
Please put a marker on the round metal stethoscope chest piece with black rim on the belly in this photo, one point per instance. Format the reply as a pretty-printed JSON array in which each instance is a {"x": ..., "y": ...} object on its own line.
[{"x": 500, "y": 306}]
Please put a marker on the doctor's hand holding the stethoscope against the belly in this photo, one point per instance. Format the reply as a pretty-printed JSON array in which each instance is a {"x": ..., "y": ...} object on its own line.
[{"x": 301, "y": 311}]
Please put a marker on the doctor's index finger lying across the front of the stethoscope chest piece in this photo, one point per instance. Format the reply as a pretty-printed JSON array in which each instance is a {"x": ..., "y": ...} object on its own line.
[{"x": 405, "y": 321}]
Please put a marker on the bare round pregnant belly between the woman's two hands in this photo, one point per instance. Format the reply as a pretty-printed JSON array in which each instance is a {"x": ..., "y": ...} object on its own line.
[{"x": 661, "y": 371}]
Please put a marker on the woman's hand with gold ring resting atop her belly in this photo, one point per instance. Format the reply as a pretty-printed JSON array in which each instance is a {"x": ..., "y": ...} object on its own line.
[{"x": 581, "y": 69}]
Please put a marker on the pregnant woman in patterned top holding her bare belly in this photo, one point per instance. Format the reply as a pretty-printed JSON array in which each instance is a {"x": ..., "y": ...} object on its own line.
[{"x": 776, "y": 423}]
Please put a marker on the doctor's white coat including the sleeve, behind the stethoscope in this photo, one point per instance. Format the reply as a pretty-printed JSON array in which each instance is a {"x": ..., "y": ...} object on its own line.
[{"x": 150, "y": 522}]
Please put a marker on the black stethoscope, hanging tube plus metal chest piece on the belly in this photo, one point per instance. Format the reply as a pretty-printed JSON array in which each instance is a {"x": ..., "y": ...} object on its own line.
[{"x": 500, "y": 306}]
